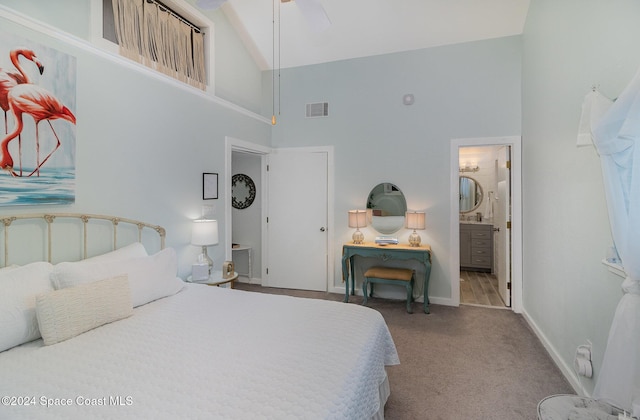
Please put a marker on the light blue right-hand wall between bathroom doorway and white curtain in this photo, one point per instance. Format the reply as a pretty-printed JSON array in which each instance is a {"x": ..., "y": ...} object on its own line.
[{"x": 569, "y": 46}]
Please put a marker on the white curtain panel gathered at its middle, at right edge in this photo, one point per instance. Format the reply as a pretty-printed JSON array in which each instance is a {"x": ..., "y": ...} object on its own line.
[{"x": 617, "y": 139}]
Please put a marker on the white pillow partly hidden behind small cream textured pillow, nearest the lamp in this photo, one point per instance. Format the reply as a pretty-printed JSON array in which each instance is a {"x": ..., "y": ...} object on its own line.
[{"x": 150, "y": 278}]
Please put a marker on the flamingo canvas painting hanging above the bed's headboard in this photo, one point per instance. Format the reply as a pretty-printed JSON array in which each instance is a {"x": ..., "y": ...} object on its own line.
[{"x": 37, "y": 161}]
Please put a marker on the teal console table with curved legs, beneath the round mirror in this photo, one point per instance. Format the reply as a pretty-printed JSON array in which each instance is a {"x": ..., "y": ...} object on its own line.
[{"x": 387, "y": 252}]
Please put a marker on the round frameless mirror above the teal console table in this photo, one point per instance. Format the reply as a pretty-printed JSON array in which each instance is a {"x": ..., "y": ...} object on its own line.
[{"x": 386, "y": 207}]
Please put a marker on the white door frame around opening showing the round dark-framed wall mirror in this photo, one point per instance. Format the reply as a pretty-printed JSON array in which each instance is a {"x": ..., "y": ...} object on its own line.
[{"x": 236, "y": 145}]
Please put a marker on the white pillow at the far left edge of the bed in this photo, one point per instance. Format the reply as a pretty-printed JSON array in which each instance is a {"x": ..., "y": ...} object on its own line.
[{"x": 18, "y": 289}]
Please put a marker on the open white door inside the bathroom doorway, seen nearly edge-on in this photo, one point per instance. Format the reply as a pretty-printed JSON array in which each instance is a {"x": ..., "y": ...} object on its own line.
[{"x": 502, "y": 236}]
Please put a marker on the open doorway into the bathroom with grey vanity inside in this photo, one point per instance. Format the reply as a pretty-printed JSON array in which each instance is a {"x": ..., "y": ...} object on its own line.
[{"x": 485, "y": 221}]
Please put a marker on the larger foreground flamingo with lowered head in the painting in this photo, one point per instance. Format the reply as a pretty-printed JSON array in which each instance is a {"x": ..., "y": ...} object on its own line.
[{"x": 41, "y": 105}]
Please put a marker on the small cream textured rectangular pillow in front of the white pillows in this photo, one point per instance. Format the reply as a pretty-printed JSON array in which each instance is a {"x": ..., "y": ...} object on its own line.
[{"x": 63, "y": 314}]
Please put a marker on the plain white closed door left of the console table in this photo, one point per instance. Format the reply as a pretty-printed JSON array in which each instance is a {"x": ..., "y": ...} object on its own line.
[{"x": 297, "y": 220}]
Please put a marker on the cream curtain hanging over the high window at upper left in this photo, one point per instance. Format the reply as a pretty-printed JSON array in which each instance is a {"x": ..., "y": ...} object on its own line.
[{"x": 154, "y": 37}]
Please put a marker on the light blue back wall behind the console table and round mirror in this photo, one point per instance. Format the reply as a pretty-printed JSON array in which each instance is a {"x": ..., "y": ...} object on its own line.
[{"x": 465, "y": 90}]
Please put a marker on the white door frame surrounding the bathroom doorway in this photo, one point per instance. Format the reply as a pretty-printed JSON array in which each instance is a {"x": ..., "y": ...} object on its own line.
[{"x": 516, "y": 214}]
